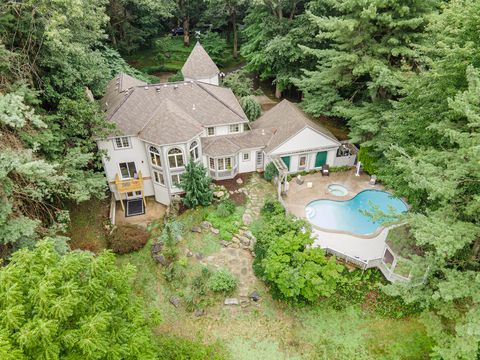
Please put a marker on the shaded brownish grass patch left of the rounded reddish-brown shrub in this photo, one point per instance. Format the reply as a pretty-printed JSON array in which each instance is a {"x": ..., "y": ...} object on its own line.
[{"x": 87, "y": 225}]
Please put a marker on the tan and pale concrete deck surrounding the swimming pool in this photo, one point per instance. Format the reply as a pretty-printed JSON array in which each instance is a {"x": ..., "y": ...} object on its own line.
[{"x": 298, "y": 196}]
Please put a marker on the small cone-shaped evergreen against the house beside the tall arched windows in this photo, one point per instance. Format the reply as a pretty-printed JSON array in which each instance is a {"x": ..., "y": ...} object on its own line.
[{"x": 196, "y": 184}]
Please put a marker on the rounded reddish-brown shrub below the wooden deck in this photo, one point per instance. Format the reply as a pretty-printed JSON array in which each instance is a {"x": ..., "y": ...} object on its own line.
[{"x": 127, "y": 238}]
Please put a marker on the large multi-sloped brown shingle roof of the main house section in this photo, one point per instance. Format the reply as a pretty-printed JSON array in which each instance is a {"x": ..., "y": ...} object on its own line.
[{"x": 169, "y": 113}]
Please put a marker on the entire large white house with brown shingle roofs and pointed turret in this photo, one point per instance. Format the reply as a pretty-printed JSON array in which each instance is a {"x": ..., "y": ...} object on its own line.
[{"x": 160, "y": 127}]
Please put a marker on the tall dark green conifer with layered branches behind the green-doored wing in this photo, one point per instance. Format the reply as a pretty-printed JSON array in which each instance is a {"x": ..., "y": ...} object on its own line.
[{"x": 365, "y": 53}]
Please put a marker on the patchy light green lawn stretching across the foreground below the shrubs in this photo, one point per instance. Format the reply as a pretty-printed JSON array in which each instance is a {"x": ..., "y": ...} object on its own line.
[{"x": 272, "y": 329}]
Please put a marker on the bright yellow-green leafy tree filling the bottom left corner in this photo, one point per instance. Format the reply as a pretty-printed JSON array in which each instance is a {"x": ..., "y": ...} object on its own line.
[{"x": 69, "y": 307}]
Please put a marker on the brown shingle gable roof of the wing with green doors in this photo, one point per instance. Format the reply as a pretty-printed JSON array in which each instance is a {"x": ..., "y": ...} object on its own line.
[{"x": 285, "y": 120}]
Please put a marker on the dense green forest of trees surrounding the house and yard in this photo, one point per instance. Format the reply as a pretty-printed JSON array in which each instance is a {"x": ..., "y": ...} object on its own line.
[{"x": 404, "y": 75}]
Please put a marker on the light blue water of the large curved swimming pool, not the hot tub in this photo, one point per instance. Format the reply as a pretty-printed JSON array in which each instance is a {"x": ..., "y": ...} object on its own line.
[{"x": 347, "y": 215}]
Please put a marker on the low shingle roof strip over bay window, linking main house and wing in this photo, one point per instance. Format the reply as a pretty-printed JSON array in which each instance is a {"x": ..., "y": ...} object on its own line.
[{"x": 231, "y": 144}]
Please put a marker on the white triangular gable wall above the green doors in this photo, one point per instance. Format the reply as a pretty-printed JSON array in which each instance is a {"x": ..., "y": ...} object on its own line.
[{"x": 305, "y": 140}]
